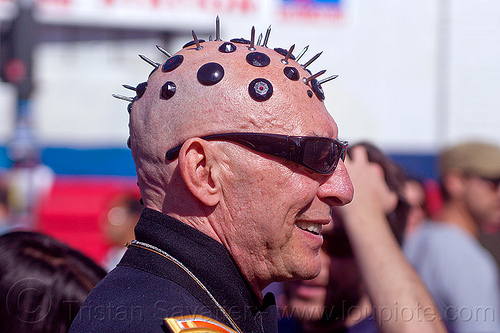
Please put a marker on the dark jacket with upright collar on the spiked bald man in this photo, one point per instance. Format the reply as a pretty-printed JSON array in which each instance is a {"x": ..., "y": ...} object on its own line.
[{"x": 147, "y": 287}]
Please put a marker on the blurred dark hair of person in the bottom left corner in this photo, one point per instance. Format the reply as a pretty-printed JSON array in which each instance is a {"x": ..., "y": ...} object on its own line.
[{"x": 43, "y": 282}]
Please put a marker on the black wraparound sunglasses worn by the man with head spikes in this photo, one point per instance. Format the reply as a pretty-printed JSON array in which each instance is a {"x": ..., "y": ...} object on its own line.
[{"x": 316, "y": 153}]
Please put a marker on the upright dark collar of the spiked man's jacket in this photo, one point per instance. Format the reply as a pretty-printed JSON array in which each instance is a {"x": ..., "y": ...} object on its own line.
[{"x": 211, "y": 263}]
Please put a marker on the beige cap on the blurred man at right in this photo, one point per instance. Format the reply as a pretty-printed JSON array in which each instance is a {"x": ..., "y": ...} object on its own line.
[{"x": 479, "y": 158}]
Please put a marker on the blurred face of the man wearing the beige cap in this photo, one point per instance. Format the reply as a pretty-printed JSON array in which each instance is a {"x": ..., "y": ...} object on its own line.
[{"x": 482, "y": 199}]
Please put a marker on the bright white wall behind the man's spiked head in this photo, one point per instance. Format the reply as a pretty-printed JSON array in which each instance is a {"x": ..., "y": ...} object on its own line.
[{"x": 403, "y": 83}]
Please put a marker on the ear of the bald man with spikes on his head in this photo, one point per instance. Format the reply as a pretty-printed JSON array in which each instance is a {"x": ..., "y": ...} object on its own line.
[{"x": 197, "y": 166}]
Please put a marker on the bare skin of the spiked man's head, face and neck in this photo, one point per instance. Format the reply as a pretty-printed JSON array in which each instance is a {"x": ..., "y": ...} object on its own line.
[{"x": 250, "y": 202}]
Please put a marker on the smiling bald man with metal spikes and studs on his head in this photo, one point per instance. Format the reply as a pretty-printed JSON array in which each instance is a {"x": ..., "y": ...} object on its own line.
[{"x": 238, "y": 164}]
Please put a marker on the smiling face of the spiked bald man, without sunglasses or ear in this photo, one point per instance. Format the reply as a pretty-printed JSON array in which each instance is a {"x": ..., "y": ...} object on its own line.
[{"x": 278, "y": 208}]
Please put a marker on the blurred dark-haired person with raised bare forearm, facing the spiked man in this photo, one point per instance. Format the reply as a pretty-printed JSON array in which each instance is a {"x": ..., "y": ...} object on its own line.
[{"x": 365, "y": 282}]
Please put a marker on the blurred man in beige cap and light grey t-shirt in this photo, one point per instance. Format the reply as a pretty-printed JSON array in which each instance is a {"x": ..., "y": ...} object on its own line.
[{"x": 460, "y": 274}]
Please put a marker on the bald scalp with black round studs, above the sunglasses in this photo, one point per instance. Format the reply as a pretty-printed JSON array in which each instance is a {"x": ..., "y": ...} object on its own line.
[{"x": 222, "y": 87}]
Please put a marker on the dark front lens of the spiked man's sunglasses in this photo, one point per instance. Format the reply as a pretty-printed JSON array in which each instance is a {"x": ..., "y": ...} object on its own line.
[{"x": 320, "y": 155}]
